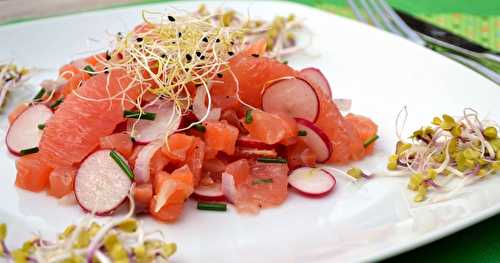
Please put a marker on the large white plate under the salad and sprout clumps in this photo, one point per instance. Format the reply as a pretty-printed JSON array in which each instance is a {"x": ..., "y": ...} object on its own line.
[{"x": 379, "y": 71}]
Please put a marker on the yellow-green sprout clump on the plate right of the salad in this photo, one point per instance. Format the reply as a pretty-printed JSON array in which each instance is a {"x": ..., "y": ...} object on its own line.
[{"x": 449, "y": 148}]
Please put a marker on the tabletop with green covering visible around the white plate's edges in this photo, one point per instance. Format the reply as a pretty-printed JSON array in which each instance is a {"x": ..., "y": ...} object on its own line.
[{"x": 478, "y": 20}]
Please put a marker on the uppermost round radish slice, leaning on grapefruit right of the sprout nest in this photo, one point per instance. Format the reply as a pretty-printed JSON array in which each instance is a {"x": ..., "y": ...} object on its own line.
[{"x": 292, "y": 96}]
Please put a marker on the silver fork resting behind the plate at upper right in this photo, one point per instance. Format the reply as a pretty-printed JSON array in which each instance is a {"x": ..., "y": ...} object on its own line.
[{"x": 381, "y": 15}]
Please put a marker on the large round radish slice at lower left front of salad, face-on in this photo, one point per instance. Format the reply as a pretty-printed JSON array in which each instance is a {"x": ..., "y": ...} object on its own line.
[{"x": 101, "y": 185}]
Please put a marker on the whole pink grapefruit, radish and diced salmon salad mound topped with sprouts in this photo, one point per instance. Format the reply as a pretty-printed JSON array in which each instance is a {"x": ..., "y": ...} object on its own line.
[{"x": 192, "y": 105}]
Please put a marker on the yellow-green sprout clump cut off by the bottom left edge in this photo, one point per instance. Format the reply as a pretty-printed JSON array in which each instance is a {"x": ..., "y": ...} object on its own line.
[{"x": 120, "y": 240}]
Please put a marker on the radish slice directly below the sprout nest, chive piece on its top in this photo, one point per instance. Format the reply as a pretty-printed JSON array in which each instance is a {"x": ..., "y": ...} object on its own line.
[{"x": 166, "y": 122}]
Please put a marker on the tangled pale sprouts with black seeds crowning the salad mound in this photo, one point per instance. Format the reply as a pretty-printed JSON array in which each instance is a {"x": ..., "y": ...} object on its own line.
[{"x": 169, "y": 54}]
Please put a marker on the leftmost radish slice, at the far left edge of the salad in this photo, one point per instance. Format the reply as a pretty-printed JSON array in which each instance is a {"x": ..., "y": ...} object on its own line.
[{"x": 24, "y": 132}]
